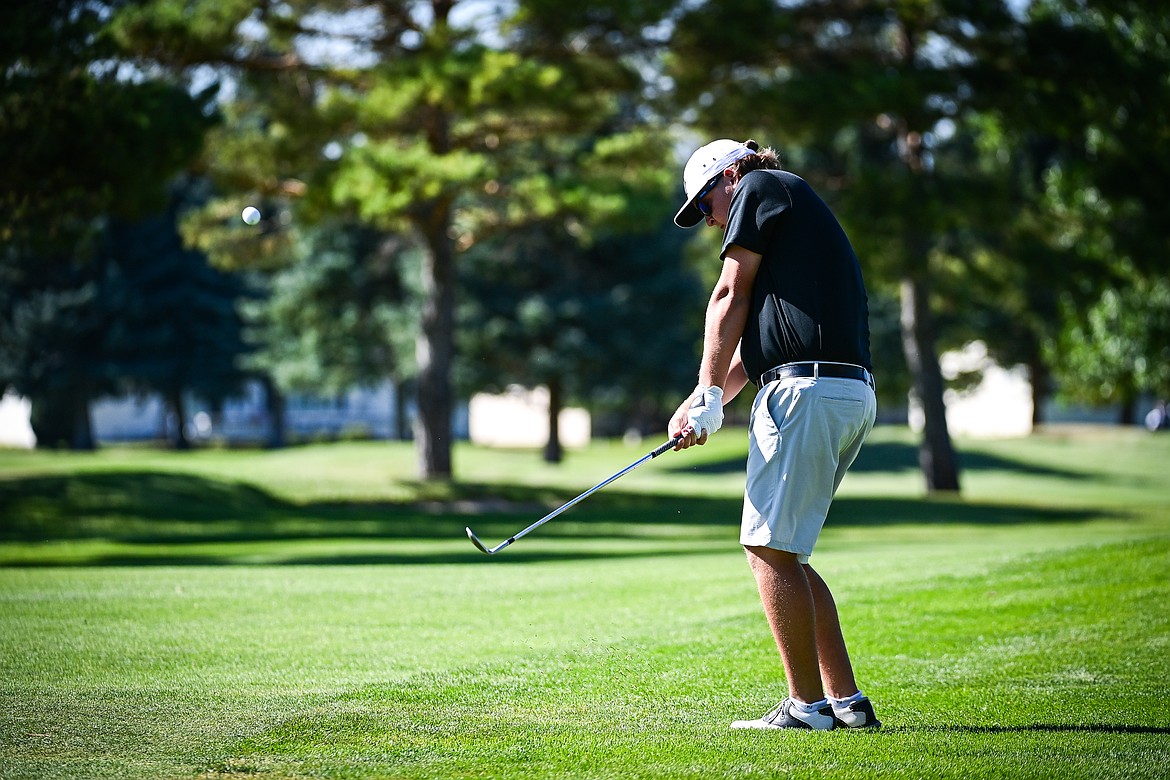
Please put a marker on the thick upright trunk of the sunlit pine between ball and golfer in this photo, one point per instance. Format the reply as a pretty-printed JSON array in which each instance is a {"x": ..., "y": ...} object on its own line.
[{"x": 436, "y": 347}]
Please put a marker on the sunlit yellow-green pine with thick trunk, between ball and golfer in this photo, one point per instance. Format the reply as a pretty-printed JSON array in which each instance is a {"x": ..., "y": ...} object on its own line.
[{"x": 426, "y": 127}]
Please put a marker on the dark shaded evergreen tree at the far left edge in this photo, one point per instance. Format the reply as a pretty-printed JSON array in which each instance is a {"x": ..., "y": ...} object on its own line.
[{"x": 79, "y": 141}]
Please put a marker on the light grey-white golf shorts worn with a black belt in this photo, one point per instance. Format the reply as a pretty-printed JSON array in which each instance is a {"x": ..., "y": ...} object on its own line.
[{"x": 804, "y": 437}]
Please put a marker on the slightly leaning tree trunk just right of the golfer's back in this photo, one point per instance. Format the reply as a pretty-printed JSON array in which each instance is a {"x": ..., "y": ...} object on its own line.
[{"x": 937, "y": 457}]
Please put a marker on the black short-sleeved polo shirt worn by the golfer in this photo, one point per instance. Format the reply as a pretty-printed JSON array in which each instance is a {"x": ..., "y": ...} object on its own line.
[{"x": 809, "y": 302}]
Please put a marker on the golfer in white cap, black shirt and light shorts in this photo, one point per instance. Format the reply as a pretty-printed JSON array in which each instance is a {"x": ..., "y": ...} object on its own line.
[{"x": 789, "y": 315}]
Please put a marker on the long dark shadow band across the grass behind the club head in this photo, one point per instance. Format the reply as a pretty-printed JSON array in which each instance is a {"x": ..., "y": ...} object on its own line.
[{"x": 155, "y": 519}]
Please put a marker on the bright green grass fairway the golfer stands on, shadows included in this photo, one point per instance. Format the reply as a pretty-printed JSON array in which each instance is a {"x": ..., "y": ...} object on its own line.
[{"x": 318, "y": 613}]
